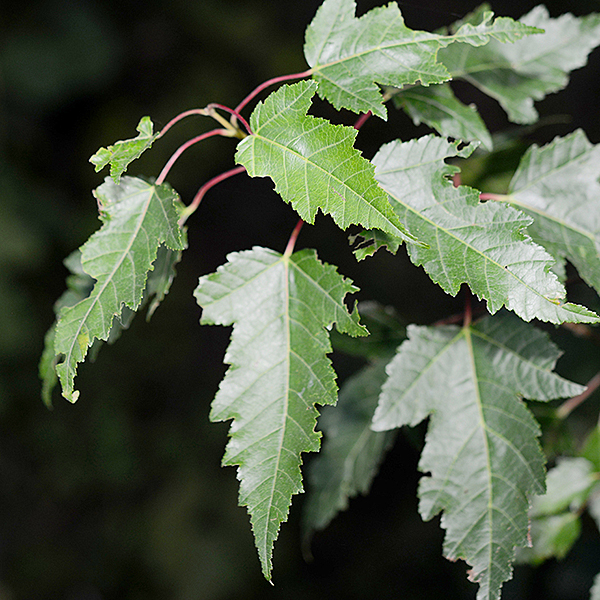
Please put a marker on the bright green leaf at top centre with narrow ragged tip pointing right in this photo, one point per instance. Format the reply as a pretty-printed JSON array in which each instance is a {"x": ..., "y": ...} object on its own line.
[{"x": 349, "y": 56}]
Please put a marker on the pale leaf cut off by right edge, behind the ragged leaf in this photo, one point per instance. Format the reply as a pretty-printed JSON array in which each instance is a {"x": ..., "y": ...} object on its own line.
[{"x": 558, "y": 186}]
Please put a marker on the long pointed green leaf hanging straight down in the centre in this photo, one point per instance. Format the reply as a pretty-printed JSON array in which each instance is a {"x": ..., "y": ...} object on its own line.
[{"x": 280, "y": 307}]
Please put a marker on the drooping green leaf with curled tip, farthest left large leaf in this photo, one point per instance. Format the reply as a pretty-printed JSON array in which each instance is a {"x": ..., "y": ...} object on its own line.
[{"x": 137, "y": 218}]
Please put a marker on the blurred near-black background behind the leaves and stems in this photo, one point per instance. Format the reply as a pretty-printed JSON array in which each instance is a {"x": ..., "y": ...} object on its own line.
[{"x": 122, "y": 495}]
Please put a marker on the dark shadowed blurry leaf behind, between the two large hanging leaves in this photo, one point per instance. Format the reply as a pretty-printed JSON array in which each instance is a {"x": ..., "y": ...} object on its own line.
[{"x": 351, "y": 452}]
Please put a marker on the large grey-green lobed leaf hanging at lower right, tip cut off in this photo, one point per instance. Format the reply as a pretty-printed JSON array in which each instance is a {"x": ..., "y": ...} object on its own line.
[{"x": 481, "y": 449}]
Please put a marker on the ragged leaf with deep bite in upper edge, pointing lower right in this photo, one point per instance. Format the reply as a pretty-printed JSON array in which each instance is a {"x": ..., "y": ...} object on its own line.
[{"x": 467, "y": 241}]
